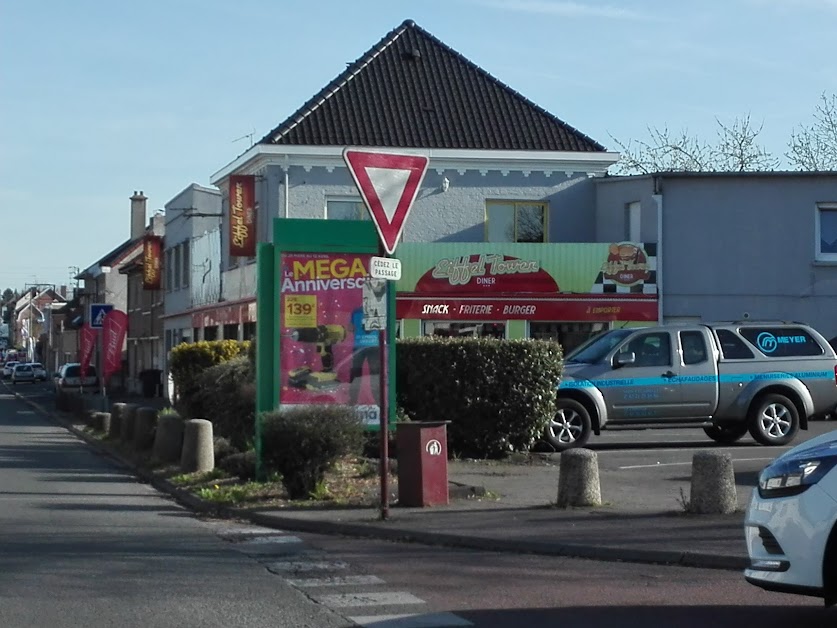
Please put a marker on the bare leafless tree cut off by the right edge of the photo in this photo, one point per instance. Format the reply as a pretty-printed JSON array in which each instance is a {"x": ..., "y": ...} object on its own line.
[{"x": 815, "y": 147}]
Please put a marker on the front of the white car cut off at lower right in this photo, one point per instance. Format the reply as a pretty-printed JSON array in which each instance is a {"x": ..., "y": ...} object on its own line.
[{"x": 790, "y": 522}]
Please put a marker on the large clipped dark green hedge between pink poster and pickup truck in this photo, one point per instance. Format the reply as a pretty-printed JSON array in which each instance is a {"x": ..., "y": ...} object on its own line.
[{"x": 498, "y": 394}]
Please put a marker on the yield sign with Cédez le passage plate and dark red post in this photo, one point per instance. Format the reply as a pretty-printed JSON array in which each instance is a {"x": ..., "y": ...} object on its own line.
[{"x": 388, "y": 183}]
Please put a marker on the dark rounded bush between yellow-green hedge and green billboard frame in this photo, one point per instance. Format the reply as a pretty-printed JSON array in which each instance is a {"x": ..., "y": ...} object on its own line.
[{"x": 225, "y": 394}]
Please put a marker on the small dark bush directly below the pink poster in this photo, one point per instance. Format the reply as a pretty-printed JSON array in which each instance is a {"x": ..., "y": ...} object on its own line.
[{"x": 303, "y": 443}]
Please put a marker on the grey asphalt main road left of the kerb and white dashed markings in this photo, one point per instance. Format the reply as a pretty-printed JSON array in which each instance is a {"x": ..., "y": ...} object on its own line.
[{"x": 84, "y": 544}]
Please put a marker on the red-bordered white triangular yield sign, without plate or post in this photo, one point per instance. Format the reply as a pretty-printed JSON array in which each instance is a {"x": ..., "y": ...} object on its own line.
[{"x": 388, "y": 183}]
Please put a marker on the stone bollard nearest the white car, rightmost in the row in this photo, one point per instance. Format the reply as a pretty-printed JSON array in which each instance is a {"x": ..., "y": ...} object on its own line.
[{"x": 713, "y": 484}]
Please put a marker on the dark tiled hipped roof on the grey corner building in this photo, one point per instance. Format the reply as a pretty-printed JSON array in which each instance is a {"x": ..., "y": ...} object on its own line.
[{"x": 411, "y": 90}]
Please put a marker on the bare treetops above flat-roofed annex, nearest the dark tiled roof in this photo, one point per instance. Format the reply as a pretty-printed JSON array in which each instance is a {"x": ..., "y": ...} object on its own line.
[{"x": 736, "y": 150}]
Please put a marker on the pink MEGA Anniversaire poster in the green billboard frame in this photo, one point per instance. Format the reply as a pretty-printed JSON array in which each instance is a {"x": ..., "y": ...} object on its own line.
[{"x": 330, "y": 311}]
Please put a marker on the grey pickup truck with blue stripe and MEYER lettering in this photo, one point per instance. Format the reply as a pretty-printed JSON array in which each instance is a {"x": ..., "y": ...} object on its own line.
[{"x": 765, "y": 378}]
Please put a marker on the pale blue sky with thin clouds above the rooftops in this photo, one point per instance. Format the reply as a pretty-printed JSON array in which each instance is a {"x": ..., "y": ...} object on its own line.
[{"x": 101, "y": 98}]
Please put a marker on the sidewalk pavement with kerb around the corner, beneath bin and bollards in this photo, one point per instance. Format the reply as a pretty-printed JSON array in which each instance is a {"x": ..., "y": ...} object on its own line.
[{"x": 516, "y": 513}]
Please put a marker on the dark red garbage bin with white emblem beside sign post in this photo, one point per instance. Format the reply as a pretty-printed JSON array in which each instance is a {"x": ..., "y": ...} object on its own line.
[{"x": 422, "y": 463}]
